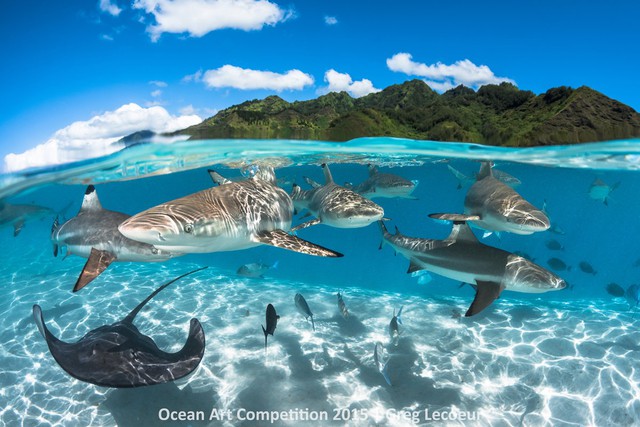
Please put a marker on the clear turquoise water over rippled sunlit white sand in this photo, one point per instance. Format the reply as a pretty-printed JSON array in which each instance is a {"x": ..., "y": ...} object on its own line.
[{"x": 560, "y": 358}]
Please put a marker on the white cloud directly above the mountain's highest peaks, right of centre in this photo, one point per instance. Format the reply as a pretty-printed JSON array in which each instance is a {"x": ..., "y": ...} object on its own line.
[{"x": 442, "y": 77}]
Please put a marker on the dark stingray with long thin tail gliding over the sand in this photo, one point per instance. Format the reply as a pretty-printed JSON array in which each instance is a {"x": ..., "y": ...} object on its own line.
[{"x": 120, "y": 356}]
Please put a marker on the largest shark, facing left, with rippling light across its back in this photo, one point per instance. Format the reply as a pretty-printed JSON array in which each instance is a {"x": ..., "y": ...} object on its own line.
[{"x": 231, "y": 216}]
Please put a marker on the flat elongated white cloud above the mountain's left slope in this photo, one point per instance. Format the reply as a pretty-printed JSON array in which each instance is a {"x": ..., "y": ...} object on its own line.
[{"x": 247, "y": 79}]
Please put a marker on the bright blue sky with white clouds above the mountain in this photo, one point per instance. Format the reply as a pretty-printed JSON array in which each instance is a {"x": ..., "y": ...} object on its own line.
[{"x": 171, "y": 60}]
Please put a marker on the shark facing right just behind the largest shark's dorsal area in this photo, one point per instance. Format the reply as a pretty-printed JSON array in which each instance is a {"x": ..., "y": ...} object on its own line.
[{"x": 334, "y": 205}]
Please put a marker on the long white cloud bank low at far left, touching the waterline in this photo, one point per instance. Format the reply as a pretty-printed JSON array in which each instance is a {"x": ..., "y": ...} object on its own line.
[{"x": 97, "y": 136}]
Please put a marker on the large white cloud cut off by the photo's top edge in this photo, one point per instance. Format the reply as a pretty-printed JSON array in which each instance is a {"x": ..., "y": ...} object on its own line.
[{"x": 199, "y": 17}]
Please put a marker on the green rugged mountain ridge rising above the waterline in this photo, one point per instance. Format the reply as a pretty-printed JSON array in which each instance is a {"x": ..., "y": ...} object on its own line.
[{"x": 494, "y": 115}]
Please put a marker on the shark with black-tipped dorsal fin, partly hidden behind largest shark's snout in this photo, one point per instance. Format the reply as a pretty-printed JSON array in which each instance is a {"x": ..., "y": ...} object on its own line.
[{"x": 93, "y": 234}]
